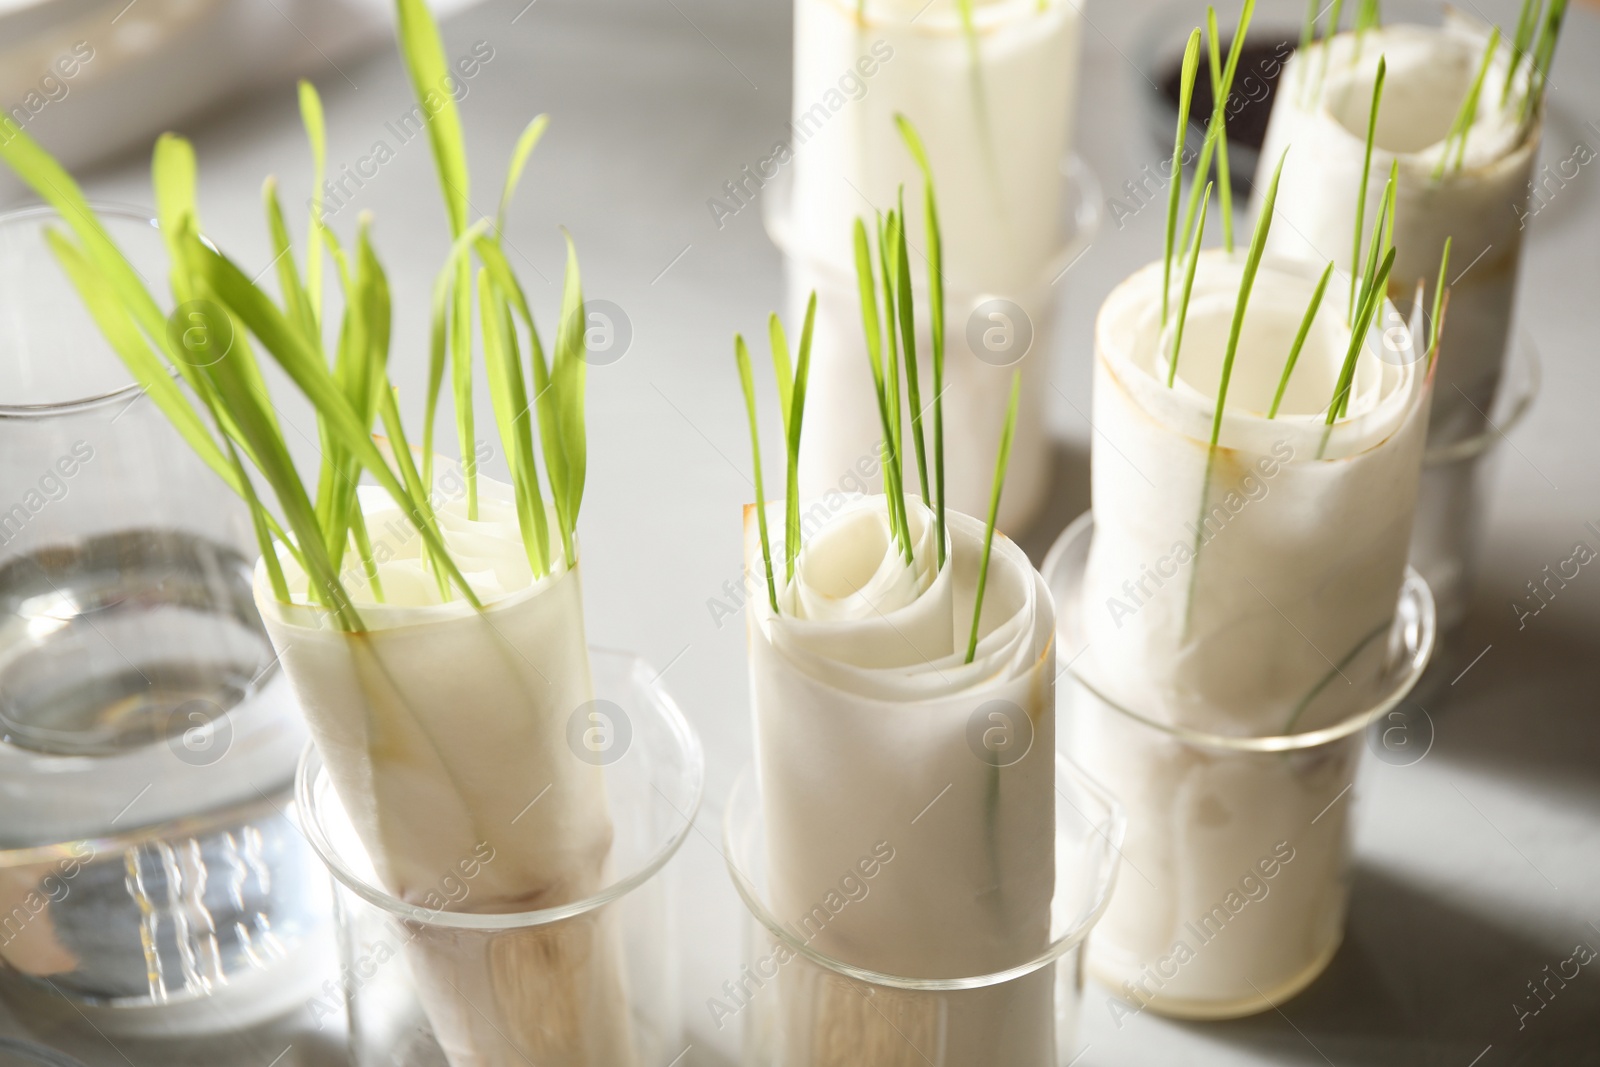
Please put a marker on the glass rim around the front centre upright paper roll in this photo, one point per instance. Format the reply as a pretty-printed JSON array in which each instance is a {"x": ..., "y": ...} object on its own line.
[{"x": 1058, "y": 948}]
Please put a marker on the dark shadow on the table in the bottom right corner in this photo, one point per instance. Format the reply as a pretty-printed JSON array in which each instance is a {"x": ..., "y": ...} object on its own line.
[{"x": 1423, "y": 981}]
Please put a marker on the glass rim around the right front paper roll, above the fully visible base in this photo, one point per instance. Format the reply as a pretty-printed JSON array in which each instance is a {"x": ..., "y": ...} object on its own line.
[{"x": 1414, "y": 589}]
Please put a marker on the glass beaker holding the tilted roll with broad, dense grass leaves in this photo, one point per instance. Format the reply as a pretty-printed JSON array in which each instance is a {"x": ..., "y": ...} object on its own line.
[{"x": 591, "y": 983}]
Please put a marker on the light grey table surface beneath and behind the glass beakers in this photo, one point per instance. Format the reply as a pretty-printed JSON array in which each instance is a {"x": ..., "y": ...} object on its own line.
[{"x": 1476, "y": 868}]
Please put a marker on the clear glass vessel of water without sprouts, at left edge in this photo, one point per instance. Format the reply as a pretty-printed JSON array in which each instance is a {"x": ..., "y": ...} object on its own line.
[{"x": 150, "y": 869}]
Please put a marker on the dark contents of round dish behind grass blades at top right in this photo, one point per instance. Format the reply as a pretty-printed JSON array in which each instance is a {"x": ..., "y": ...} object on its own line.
[{"x": 1249, "y": 105}]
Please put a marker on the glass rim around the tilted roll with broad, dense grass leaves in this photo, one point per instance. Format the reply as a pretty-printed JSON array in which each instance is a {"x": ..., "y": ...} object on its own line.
[{"x": 662, "y": 703}]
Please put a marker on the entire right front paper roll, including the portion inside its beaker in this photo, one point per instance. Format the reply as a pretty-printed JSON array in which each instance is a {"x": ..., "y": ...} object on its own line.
[{"x": 1241, "y": 591}]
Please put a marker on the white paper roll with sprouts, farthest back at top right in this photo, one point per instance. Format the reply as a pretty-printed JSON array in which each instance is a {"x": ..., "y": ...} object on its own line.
[{"x": 1322, "y": 111}]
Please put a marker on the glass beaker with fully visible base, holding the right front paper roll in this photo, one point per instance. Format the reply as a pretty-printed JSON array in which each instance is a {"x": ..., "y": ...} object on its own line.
[{"x": 1239, "y": 847}]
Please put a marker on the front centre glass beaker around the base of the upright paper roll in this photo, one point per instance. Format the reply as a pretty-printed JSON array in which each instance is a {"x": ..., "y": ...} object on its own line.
[{"x": 804, "y": 1009}]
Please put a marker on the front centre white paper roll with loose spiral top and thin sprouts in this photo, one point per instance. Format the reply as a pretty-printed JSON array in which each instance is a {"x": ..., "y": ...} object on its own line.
[{"x": 865, "y": 717}]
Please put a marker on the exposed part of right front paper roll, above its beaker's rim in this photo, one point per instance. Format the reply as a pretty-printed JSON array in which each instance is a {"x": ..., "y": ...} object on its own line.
[{"x": 1225, "y": 591}]
